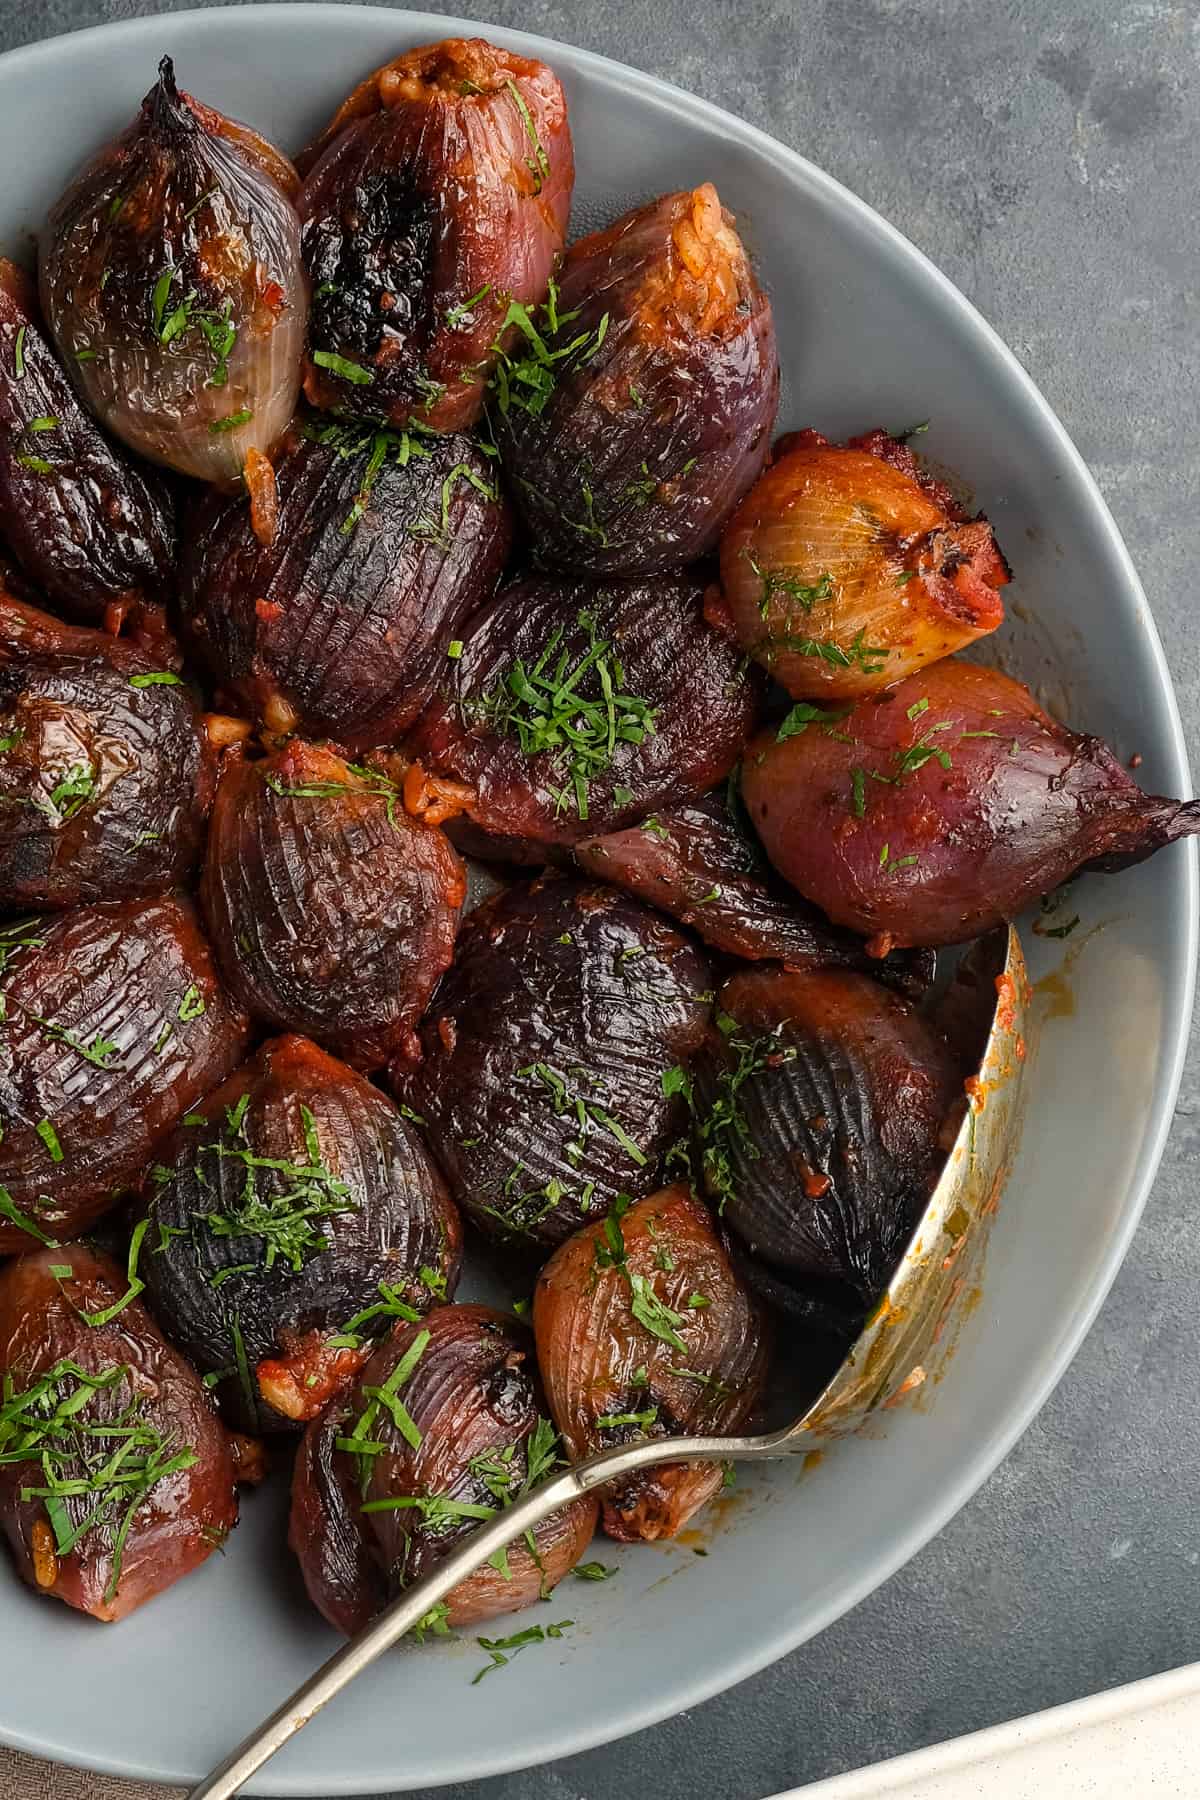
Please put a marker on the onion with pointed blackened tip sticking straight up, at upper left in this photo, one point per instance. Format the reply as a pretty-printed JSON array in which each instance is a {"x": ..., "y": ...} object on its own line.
[{"x": 190, "y": 192}]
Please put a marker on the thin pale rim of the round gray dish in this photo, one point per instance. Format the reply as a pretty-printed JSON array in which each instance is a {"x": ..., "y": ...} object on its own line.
[{"x": 568, "y": 1736}]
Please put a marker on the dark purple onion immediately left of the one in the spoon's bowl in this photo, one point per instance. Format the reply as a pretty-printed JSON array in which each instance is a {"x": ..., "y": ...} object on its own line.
[{"x": 589, "y": 985}]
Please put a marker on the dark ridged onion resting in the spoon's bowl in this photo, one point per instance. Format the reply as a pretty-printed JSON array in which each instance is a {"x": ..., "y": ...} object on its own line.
[{"x": 819, "y": 1108}]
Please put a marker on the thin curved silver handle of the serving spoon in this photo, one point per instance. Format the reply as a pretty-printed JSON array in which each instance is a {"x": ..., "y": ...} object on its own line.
[{"x": 415, "y": 1603}]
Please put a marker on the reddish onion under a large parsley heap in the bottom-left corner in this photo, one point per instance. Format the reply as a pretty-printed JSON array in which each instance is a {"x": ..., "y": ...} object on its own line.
[{"x": 78, "y": 1390}]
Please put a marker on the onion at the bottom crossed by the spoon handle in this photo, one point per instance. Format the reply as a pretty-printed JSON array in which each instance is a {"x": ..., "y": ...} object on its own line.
[{"x": 474, "y": 1392}]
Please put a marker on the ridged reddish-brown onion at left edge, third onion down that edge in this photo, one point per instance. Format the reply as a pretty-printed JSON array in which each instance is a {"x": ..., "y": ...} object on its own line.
[{"x": 114, "y": 1025}]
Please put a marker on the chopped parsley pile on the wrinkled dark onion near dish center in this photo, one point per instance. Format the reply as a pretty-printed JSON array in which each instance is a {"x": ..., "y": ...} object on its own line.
[{"x": 546, "y": 710}]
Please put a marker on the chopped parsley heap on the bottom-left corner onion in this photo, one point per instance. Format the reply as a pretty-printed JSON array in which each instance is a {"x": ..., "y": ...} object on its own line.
[{"x": 98, "y": 1468}]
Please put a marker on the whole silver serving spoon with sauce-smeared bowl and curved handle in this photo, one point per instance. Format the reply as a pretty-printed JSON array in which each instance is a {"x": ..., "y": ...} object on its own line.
[{"x": 891, "y": 1358}]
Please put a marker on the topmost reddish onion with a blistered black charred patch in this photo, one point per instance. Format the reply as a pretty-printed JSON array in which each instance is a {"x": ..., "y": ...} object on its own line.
[{"x": 438, "y": 193}]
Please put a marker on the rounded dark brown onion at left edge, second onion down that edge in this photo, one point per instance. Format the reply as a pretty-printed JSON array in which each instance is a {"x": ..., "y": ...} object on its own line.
[{"x": 105, "y": 768}]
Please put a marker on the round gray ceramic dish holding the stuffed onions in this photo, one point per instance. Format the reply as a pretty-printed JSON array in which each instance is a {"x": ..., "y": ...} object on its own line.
[{"x": 870, "y": 334}]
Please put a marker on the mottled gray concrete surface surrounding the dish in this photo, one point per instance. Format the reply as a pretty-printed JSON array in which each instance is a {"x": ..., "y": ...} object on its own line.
[{"x": 1044, "y": 154}]
